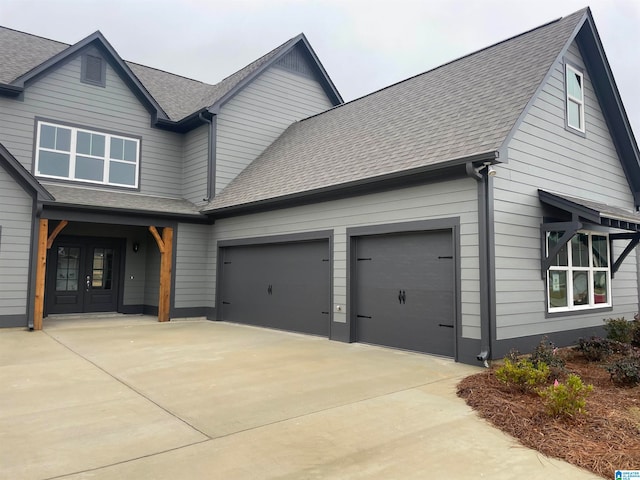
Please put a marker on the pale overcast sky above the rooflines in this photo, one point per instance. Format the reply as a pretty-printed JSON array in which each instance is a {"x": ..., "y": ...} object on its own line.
[{"x": 364, "y": 45}]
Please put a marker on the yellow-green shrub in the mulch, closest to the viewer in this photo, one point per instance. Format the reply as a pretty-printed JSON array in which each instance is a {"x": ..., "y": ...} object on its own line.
[{"x": 566, "y": 399}]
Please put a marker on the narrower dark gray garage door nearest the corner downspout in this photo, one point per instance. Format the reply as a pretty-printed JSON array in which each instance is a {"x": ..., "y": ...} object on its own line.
[{"x": 405, "y": 291}]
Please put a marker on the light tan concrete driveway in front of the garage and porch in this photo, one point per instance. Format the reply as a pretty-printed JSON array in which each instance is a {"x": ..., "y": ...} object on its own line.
[{"x": 129, "y": 398}]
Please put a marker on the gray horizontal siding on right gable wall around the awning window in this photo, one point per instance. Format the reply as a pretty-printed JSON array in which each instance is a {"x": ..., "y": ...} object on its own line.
[{"x": 544, "y": 155}]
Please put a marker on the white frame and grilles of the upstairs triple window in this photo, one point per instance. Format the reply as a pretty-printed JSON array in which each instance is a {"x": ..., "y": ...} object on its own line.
[{"x": 73, "y": 154}]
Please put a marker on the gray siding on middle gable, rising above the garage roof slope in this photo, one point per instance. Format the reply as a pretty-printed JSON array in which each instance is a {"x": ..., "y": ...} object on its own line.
[{"x": 257, "y": 115}]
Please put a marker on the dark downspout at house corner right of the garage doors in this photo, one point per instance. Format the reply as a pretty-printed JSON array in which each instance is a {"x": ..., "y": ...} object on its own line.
[{"x": 483, "y": 176}]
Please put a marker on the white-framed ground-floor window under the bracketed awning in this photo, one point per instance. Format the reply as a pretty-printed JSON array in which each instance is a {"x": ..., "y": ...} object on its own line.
[{"x": 580, "y": 275}]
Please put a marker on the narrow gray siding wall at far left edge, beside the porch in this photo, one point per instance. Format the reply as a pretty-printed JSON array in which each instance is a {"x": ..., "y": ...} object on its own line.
[{"x": 15, "y": 241}]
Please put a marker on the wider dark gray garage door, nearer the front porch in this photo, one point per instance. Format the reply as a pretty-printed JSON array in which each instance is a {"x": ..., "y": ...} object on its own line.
[{"x": 283, "y": 286}]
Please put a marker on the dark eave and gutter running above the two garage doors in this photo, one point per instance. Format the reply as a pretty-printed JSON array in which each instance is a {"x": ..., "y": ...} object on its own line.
[{"x": 404, "y": 178}]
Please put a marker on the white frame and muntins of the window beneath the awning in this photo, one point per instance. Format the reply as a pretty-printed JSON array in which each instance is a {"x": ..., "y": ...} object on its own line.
[{"x": 569, "y": 275}]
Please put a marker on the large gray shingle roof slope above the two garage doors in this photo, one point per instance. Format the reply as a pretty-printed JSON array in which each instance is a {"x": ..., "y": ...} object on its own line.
[{"x": 455, "y": 111}]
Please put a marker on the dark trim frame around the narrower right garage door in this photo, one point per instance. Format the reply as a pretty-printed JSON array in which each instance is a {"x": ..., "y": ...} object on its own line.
[{"x": 424, "y": 226}]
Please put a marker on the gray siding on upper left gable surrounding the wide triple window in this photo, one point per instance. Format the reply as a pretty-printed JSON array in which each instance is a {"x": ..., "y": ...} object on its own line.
[{"x": 60, "y": 96}]
